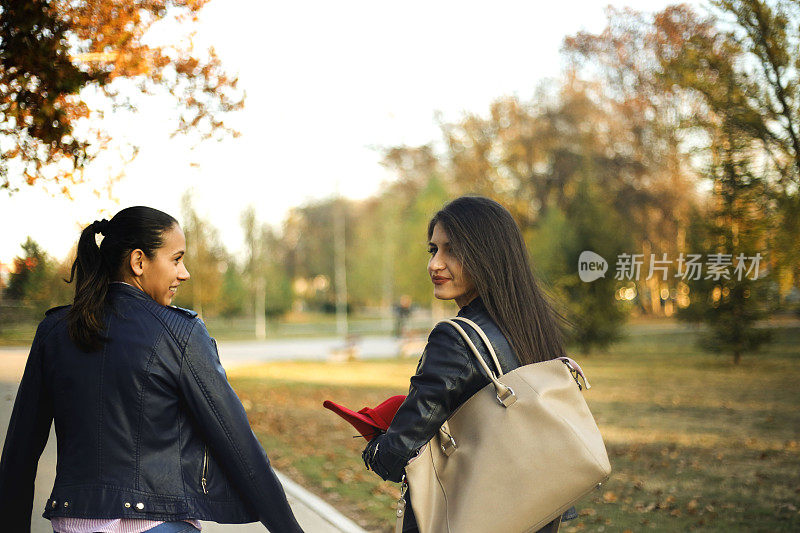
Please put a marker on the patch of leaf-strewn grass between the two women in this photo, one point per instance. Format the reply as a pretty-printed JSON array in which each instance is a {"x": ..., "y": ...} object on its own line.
[{"x": 315, "y": 447}]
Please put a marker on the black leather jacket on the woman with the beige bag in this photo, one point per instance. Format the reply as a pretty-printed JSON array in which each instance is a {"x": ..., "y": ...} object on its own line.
[{"x": 447, "y": 375}]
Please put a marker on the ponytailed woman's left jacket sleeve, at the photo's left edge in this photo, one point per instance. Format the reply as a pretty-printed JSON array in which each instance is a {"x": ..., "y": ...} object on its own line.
[{"x": 25, "y": 440}]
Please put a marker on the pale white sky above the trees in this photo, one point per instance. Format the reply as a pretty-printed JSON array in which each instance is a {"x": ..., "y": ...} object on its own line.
[{"x": 327, "y": 83}]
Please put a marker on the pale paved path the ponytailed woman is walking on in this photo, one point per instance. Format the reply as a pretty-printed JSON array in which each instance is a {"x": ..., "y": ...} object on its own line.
[{"x": 314, "y": 515}]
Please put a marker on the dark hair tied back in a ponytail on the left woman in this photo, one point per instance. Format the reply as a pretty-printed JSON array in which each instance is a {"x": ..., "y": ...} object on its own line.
[{"x": 95, "y": 267}]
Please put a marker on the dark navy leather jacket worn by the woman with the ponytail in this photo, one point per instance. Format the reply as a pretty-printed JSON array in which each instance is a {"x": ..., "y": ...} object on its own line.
[{"x": 147, "y": 427}]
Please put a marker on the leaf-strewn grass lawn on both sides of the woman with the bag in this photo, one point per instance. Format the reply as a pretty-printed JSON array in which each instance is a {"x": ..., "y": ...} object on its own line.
[{"x": 695, "y": 442}]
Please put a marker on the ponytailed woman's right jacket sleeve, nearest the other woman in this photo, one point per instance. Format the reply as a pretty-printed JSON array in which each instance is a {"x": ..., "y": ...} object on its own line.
[{"x": 224, "y": 423}]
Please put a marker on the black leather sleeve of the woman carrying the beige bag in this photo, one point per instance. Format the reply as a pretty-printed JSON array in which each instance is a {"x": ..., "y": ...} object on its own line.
[{"x": 444, "y": 376}]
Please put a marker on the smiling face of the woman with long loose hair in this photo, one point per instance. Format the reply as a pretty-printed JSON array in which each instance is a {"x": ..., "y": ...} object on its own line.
[{"x": 450, "y": 282}]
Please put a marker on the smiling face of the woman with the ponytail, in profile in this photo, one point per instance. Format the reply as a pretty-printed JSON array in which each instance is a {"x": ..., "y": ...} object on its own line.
[{"x": 160, "y": 275}]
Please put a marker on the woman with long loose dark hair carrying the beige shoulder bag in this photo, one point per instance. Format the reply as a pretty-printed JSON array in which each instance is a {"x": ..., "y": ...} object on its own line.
[{"x": 479, "y": 260}]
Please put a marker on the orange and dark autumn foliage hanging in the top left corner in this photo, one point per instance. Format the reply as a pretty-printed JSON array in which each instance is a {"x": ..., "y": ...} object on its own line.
[{"x": 55, "y": 52}]
